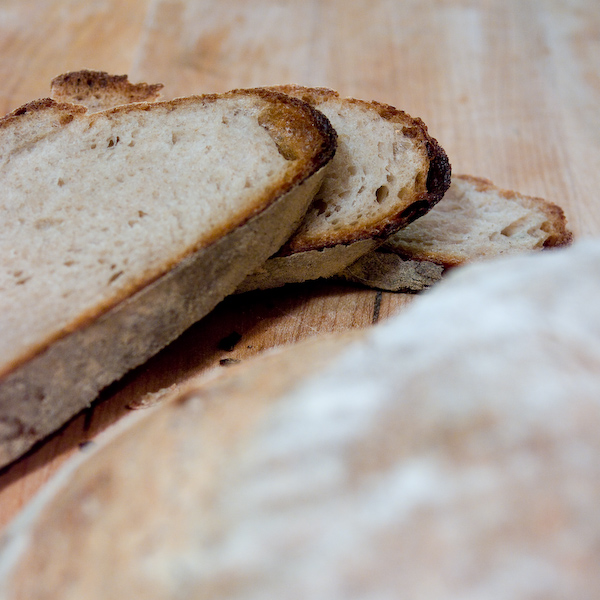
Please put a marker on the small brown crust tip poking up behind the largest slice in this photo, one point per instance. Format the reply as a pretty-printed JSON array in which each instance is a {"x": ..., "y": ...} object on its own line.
[{"x": 98, "y": 90}]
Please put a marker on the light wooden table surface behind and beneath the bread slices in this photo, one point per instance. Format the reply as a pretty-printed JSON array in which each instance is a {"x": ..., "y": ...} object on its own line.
[{"x": 510, "y": 88}]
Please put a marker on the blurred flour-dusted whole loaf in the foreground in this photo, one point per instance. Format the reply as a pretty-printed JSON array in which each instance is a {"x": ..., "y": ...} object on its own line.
[{"x": 450, "y": 452}]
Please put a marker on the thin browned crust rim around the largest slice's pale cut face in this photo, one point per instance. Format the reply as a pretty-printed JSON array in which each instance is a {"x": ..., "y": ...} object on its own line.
[{"x": 322, "y": 133}]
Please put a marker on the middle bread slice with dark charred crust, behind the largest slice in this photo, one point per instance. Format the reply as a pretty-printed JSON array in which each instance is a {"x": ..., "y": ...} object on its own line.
[{"x": 387, "y": 172}]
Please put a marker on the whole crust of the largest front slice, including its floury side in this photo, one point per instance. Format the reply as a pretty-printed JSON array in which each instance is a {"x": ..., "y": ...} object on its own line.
[{"x": 64, "y": 372}]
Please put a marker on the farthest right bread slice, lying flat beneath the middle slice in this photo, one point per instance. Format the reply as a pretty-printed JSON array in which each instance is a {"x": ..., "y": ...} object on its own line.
[{"x": 475, "y": 221}]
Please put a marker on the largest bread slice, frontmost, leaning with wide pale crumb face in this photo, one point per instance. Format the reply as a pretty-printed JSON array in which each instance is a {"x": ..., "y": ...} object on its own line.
[{"x": 123, "y": 227}]
